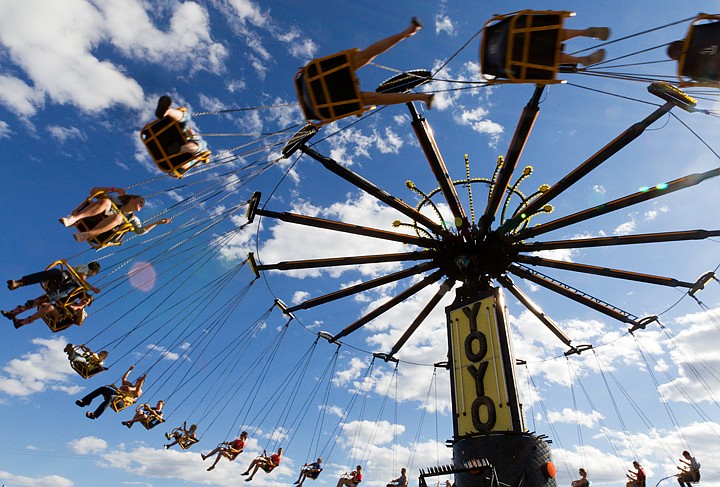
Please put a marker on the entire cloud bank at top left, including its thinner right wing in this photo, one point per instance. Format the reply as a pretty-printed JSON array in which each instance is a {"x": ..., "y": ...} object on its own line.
[{"x": 30, "y": 32}]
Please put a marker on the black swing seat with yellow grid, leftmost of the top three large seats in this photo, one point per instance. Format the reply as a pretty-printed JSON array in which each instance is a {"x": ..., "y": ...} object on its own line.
[{"x": 328, "y": 89}]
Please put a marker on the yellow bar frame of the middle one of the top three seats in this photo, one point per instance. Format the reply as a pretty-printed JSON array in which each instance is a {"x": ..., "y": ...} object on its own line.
[{"x": 524, "y": 36}]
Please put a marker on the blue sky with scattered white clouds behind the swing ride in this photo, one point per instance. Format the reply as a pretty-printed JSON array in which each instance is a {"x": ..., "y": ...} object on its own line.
[{"x": 78, "y": 80}]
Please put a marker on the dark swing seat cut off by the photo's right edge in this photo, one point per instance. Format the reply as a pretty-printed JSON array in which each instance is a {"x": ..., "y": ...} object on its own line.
[{"x": 699, "y": 62}]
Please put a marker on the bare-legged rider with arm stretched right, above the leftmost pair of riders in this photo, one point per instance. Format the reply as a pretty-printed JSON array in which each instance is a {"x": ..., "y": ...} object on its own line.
[{"x": 127, "y": 204}]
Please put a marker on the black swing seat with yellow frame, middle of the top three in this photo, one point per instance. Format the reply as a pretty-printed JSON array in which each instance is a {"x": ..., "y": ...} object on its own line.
[{"x": 523, "y": 47}]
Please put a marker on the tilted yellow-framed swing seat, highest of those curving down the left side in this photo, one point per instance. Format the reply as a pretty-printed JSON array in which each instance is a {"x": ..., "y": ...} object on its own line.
[{"x": 163, "y": 139}]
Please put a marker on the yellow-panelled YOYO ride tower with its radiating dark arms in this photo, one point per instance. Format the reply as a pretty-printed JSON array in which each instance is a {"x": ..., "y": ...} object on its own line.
[{"x": 491, "y": 445}]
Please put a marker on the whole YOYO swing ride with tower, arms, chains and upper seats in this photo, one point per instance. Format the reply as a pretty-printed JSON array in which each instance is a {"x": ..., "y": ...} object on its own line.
[{"x": 480, "y": 257}]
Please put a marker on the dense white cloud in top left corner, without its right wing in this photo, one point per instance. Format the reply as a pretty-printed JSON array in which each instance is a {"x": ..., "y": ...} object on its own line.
[{"x": 30, "y": 30}]
